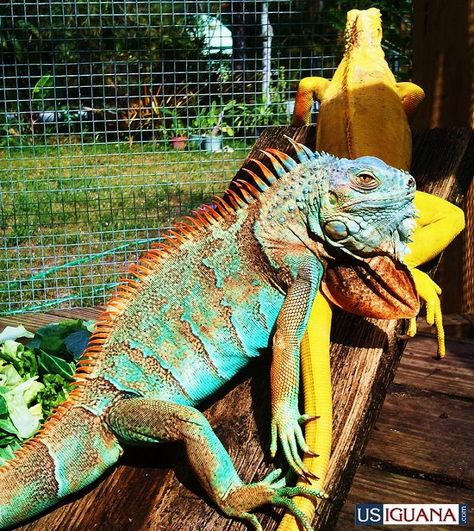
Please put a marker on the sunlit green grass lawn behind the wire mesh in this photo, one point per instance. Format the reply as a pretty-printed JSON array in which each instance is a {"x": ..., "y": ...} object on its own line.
[{"x": 72, "y": 216}]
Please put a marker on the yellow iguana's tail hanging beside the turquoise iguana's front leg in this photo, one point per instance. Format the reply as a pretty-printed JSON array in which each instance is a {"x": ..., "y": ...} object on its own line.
[{"x": 316, "y": 374}]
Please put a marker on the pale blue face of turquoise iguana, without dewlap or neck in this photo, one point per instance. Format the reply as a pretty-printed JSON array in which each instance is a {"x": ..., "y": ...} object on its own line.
[{"x": 366, "y": 207}]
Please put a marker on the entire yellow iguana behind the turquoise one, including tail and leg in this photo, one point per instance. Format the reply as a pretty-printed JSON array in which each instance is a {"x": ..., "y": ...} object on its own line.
[{"x": 364, "y": 111}]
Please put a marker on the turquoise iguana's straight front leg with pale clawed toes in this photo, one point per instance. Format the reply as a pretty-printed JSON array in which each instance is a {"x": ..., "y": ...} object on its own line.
[{"x": 285, "y": 372}]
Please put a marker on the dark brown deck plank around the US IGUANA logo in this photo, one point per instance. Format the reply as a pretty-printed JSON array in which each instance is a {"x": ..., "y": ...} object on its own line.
[{"x": 379, "y": 486}]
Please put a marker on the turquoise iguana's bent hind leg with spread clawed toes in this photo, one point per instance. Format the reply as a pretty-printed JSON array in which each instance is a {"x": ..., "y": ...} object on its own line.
[{"x": 141, "y": 420}]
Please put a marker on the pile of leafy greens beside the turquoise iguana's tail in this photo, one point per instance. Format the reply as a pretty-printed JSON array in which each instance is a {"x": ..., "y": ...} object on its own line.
[{"x": 35, "y": 377}]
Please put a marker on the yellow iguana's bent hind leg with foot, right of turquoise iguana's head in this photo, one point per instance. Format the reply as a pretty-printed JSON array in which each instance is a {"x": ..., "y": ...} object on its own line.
[{"x": 438, "y": 224}]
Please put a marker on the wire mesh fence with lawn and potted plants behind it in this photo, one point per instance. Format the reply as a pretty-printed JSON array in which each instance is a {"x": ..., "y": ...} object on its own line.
[{"x": 118, "y": 117}]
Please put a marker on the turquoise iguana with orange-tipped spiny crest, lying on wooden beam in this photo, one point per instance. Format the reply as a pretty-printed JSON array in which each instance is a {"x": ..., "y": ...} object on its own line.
[{"x": 233, "y": 281}]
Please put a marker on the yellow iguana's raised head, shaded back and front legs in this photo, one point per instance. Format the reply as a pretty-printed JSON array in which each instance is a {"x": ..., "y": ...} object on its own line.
[{"x": 363, "y": 108}]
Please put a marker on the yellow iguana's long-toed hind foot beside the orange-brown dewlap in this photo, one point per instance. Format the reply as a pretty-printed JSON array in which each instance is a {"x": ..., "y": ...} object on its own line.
[{"x": 429, "y": 292}]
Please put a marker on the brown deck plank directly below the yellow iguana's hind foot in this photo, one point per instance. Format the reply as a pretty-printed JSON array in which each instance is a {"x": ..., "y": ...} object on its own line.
[{"x": 453, "y": 376}]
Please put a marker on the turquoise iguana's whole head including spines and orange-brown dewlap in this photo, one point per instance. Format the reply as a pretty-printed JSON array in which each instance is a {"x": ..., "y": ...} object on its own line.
[{"x": 356, "y": 216}]
